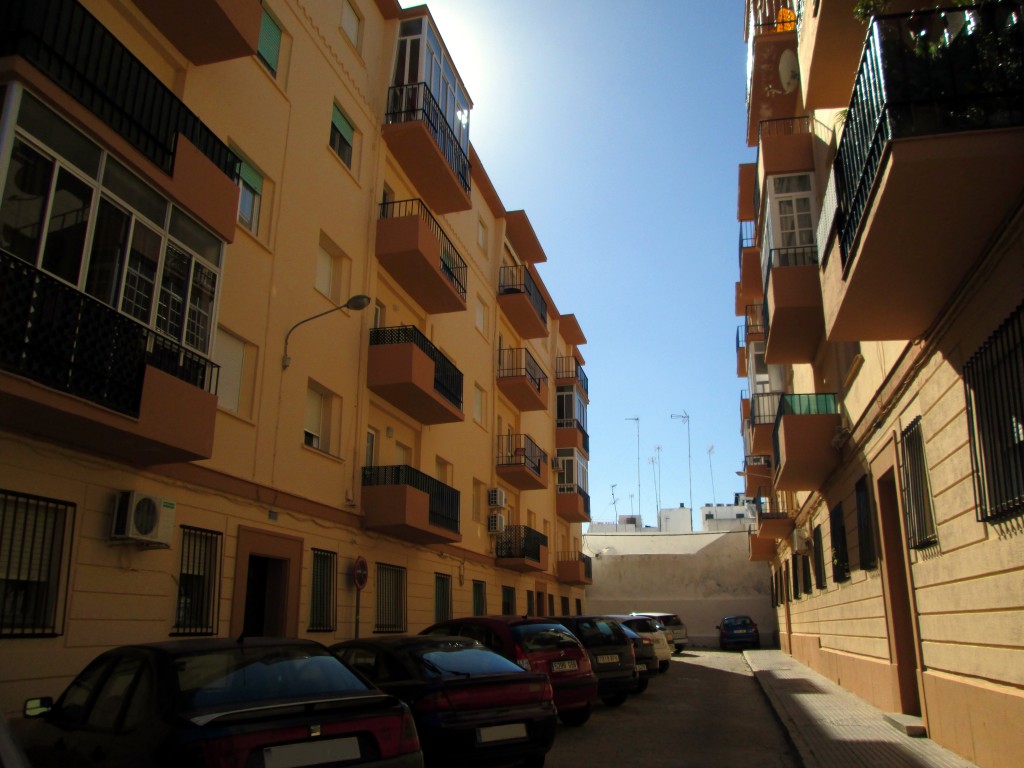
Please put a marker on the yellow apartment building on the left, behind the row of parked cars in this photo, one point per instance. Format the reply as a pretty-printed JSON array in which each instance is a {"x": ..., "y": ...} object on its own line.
[{"x": 275, "y": 358}]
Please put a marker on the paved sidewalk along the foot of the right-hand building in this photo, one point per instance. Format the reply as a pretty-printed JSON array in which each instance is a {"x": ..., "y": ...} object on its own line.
[{"x": 833, "y": 729}]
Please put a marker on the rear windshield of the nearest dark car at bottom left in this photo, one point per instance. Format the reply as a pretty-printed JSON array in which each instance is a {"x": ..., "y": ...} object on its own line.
[{"x": 228, "y": 677}]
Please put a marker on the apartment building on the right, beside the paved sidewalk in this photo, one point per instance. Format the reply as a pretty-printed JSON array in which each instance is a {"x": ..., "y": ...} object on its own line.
[{"x": 882, "y": 295}]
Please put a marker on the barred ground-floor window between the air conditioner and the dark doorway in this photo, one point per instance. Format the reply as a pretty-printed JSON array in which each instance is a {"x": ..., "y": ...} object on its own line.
[{"x": 199, "y": 583}]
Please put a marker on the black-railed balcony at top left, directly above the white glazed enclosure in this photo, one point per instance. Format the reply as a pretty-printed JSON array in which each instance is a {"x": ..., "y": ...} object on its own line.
[{"x": 70, "y": 48}]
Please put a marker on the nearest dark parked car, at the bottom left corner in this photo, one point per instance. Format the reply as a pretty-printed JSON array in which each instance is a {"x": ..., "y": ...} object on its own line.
[{"x": 216, "y": 702}]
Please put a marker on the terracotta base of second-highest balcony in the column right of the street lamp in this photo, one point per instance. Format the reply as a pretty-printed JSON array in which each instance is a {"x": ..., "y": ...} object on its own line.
[{"x": 412, "y": 254}]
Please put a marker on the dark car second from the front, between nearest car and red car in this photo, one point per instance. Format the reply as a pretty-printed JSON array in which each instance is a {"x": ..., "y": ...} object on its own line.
[{"x": 473, "y": 707}]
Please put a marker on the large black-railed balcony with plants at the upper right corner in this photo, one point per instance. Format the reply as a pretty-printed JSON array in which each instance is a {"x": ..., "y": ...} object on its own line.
[{"x": 929, "y": 166}]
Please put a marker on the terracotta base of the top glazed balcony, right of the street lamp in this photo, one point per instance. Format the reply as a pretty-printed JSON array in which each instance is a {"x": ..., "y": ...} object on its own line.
[{"x": 429, "y": 169}]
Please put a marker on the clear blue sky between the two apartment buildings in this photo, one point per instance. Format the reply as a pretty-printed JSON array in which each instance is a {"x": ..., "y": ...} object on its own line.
[{"x": 619, "y": 129}]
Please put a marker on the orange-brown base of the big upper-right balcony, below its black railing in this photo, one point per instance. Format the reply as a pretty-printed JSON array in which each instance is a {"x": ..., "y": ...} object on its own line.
[{"x": 937, "y": 203}]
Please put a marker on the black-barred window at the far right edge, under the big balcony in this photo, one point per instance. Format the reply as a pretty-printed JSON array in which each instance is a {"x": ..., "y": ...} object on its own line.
[{"x": 994, "y": 380}]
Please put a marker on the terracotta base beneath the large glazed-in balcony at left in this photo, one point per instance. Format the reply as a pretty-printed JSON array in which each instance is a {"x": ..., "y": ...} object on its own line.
[{"x": 176, "y": 422}]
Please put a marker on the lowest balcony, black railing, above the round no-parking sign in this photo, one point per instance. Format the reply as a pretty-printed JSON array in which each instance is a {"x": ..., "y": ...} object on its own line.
[{"x": 403, "y": 502}]
